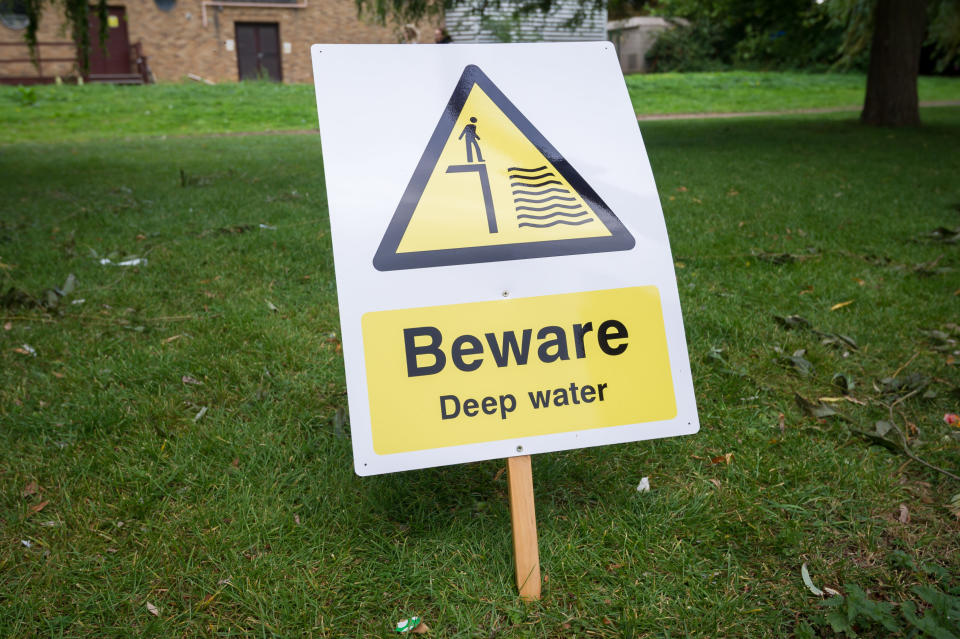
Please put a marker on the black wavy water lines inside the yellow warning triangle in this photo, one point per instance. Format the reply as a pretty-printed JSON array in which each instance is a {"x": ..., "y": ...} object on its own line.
[{"x": 550, "y": 203}]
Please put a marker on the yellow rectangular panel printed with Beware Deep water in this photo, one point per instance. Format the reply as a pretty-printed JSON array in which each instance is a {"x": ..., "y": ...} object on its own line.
[{"x": 489, "y": 371}]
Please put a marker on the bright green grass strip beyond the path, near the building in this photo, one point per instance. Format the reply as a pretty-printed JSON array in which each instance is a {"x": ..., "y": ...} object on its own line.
[{"x": 70, "y": 113}]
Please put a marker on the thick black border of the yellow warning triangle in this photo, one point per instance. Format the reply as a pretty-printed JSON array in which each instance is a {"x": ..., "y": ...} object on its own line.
[{"x": 388, "y": 259}]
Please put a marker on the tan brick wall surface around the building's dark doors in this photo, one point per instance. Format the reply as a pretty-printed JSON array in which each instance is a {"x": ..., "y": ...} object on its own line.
[{"x": 177, "y": 42}]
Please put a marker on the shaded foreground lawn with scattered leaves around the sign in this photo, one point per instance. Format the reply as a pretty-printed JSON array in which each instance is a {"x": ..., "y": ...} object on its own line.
[{"x": 174, "y": 445}]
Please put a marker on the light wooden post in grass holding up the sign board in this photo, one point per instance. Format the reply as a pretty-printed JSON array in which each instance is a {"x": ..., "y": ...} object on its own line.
[{"x": 526, "y": 554}]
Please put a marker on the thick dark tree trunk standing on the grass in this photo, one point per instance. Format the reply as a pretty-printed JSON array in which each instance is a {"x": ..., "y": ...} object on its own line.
[{"x": 894, "y": 64}]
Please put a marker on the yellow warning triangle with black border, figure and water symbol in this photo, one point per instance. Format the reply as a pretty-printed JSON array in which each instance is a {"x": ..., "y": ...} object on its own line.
[{"x": 489, "y": 187}]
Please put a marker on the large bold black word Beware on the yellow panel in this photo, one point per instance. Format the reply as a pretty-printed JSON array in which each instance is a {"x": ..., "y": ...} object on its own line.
[{"x": 467, "y": 351}]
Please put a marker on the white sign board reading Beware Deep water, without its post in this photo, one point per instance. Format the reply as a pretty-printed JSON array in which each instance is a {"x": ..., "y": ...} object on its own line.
[{"x": 504, "y": 274}]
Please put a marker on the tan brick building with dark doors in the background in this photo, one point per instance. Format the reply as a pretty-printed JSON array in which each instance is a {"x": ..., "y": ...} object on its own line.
[{"x": 218, "y": 40}]
